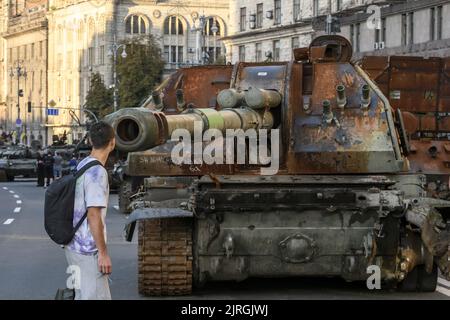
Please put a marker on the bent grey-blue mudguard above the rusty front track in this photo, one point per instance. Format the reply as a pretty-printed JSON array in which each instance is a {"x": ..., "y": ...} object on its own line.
[{"x": 152, "y": 213}]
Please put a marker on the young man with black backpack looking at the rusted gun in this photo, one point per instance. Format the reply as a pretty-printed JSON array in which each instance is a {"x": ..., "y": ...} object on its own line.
[{"x": 85, "y": 238}]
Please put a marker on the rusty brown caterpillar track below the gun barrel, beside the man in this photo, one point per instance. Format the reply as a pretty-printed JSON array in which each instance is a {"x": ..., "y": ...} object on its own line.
[{"x": 165, "y": 257}]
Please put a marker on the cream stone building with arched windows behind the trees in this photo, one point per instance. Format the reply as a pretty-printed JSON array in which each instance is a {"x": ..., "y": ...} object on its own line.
[{"x": 83, "y": 33}]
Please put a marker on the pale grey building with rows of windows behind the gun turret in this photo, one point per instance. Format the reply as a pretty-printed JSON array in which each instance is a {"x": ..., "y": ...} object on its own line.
[{"x": 271, "y": 29}]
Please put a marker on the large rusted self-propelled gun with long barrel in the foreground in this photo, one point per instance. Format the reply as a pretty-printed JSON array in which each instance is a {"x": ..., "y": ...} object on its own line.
[{"x": 333, "y": 195}]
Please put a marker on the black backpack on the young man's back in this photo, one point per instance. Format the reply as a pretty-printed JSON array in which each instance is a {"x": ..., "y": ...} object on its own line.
[{"x": 59, "y": 207}]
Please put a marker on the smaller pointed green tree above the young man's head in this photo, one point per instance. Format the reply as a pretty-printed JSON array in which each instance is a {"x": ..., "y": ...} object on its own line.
[{"x": 99, "y": 99}]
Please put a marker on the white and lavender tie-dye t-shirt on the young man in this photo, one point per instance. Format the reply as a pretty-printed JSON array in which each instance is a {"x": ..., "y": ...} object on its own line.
[{"x": 92, "y": 190}]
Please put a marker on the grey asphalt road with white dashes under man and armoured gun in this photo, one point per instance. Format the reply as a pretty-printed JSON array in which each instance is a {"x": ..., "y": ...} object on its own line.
[{"x": 33, "y": 267}]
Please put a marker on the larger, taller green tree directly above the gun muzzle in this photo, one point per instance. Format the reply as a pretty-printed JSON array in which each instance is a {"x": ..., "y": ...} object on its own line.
[{"x": 140, "y": 71}]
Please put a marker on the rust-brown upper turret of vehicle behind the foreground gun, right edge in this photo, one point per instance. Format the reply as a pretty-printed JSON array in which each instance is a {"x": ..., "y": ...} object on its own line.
[{"x": 418, "y": 86}]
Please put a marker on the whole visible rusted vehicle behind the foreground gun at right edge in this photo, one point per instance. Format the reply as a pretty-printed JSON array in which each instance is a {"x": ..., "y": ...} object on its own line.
[{"x": 421, "y": 89}]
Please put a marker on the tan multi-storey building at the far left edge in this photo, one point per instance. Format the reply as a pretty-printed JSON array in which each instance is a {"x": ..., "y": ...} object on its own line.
[{"x": 25, "y": 68}]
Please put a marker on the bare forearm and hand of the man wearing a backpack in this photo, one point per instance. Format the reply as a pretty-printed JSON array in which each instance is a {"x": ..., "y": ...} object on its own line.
[{"x": 97, "y": 229}]
